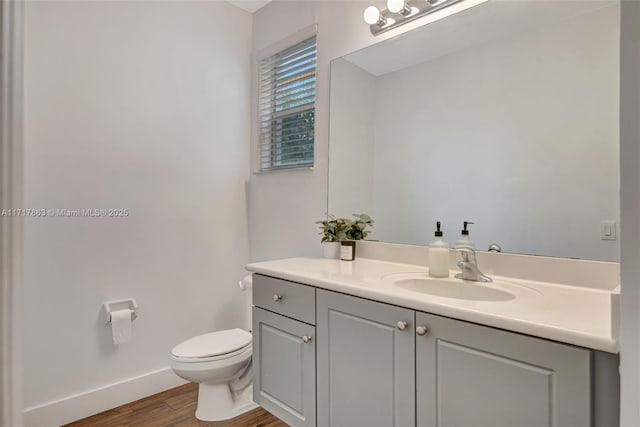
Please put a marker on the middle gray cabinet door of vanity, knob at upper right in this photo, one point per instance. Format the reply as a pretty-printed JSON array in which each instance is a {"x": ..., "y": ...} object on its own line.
[{"x": 366, "y": 371}]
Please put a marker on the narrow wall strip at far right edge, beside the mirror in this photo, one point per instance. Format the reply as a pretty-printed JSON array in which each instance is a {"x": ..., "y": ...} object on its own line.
[{"x": 630, "y": 212}]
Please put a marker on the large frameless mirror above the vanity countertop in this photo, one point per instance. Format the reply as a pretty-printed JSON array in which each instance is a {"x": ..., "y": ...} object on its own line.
[{"x": 505, "y": 114}]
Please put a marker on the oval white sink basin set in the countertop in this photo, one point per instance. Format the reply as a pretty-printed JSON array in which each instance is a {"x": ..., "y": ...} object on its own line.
[{"x": 454, "y": 289}]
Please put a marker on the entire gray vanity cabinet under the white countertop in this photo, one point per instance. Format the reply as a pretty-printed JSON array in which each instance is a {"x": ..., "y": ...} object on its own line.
[{"x": 367, "y": 363}]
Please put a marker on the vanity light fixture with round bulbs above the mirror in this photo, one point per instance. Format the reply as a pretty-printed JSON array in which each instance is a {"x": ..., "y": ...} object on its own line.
[{"x": 400, "y": 12}]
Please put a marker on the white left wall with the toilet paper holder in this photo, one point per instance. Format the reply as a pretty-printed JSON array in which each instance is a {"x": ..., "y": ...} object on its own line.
[{"x": 143, "y": 106}]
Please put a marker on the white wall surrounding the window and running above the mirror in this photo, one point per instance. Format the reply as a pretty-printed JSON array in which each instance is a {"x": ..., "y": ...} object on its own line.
[{"x": 284, "y": 206}]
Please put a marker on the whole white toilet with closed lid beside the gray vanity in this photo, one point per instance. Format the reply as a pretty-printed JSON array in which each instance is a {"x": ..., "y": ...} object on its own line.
[{"x": 220, "y": 362}]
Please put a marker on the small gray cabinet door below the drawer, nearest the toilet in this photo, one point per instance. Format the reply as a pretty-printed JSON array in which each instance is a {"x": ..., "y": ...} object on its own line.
[{"x": 284, "y": 368}]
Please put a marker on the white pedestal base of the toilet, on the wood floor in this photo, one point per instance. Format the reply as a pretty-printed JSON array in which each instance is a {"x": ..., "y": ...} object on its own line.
[{"x": 215, "y": 402}]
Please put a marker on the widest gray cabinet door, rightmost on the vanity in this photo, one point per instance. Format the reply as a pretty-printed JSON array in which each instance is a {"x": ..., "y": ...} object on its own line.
[{"x": 474, "y": 376}]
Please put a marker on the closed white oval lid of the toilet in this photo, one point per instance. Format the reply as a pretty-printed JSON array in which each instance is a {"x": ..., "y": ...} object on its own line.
[{"x": 213, "y": 344}]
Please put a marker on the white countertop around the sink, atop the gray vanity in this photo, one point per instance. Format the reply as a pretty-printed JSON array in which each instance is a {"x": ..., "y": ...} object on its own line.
[{"x": 569, "y": 314}]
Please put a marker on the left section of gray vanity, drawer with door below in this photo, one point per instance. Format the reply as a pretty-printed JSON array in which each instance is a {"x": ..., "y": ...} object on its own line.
[{"x": 284, "y": 350}]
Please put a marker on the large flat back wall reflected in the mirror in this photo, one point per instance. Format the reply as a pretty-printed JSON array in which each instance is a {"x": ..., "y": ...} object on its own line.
[{"x": 519, "y": 135}]
